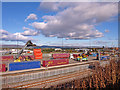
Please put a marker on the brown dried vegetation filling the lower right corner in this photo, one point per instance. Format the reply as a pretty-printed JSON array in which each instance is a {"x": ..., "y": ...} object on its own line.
[{"x": 102, "y": 77}]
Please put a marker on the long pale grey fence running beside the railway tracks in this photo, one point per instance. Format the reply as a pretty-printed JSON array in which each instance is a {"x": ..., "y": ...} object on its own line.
[{"x": 41, "y": 74}]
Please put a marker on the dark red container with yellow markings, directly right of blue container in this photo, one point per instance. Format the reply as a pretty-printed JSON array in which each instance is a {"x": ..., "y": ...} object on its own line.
[{"x": 55, "y": 62}]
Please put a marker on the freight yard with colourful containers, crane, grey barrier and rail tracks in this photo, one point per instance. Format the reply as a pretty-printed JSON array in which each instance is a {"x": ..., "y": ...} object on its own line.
[{"x": 42, "y": 70}]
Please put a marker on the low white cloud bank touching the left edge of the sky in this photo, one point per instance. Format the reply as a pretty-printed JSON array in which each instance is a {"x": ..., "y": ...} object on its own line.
[{"x": 6, "y": 36}]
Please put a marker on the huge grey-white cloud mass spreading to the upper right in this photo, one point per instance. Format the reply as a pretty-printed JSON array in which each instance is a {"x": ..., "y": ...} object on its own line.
[{"x": 76, "y": 20}]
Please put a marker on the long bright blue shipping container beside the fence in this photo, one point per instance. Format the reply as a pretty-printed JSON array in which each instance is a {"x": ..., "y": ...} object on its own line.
[{"x": 24, "y": 65}]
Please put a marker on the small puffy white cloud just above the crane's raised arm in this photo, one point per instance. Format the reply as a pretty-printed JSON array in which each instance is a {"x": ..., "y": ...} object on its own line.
[{"x": 29, "y": 32}]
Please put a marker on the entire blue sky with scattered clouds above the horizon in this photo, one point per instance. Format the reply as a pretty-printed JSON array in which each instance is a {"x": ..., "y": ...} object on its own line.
[{"x": 51, "y": 23}]
